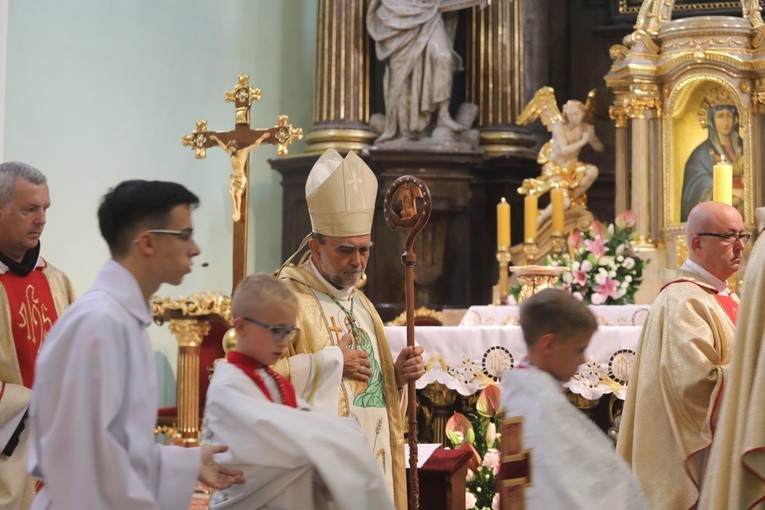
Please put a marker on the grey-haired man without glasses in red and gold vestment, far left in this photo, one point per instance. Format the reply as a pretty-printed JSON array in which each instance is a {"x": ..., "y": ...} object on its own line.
[{"x": 33, "y": 294}]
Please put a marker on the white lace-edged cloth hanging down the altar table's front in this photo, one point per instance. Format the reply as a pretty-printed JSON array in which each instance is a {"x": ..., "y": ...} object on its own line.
[{"x": 467, "y": 359}]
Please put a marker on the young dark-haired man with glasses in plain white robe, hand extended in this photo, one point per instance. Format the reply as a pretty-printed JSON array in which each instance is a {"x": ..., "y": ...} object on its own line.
[{"x": 94, "y": 403}]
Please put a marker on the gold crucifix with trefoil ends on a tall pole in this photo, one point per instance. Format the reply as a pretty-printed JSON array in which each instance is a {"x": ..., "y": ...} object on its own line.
[{"x": 238, "y": 142}]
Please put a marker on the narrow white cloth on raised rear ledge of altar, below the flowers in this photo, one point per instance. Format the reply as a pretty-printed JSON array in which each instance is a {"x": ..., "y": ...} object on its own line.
[{"x": 623, "y": 315}]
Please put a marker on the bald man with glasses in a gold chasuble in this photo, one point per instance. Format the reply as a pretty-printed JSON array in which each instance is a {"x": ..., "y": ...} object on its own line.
[{"x": 675, "y": 384}]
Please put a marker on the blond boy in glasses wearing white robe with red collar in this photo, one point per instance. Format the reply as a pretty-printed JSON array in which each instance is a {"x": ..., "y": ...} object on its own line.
[{"x": 291, "y": 458}]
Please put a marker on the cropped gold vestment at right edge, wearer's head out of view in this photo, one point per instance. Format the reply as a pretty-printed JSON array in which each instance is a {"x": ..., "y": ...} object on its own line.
[{"x": 735, "y": 475}]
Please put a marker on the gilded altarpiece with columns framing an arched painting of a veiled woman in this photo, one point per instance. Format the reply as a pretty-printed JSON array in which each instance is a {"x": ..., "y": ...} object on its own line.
[{"x": 668, "y": 77}]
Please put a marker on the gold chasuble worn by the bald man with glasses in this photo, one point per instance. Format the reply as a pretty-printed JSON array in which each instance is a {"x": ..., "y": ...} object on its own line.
[{"x": 674, "y": 389}]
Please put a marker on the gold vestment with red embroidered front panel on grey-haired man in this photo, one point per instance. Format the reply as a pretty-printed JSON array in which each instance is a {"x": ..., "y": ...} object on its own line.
[{"x": 29, "y": 305}]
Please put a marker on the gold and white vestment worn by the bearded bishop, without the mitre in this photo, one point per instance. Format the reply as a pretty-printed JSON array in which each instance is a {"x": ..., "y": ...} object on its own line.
[{"x": 314, "y": 366}]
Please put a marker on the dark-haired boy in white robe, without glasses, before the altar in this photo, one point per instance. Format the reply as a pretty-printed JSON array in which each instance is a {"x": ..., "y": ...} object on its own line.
[{"x": 573, "y": 464}]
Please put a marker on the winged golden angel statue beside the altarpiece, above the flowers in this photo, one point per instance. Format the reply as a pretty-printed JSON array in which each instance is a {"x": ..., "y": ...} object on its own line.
[{"x": 571, "y": 130}]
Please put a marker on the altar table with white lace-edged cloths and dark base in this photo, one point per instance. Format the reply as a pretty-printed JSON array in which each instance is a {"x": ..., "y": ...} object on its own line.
[{"x": 462, "y": 360}]
